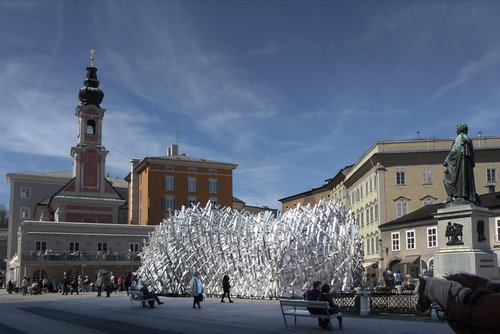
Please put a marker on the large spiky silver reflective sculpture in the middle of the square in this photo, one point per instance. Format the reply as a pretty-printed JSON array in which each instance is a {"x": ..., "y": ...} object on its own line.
[{"x": 266, "y": 256}]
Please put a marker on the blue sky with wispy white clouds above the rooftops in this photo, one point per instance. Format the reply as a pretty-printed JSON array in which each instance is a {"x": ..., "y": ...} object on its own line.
[{"x": 290, "y": 91}]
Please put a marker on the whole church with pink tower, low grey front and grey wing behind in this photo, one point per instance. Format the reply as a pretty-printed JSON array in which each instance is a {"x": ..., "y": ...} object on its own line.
[{"x": 73, "y": 221}]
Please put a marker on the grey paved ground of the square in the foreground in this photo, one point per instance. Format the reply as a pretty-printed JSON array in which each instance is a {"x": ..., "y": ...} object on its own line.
[{"x": 86, "y": 313}]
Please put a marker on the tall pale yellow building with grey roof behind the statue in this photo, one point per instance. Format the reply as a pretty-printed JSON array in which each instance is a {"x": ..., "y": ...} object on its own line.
[{"x": 394, "y": 178}]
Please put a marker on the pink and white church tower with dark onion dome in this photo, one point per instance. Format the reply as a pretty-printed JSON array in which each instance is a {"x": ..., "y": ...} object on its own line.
[{"x": 89, "y": 196}]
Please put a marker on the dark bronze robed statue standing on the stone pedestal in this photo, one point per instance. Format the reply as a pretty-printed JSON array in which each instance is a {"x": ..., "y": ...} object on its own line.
[{"x": 459, "y": 174}]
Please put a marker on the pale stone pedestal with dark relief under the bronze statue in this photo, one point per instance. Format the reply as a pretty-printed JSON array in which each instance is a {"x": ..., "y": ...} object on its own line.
[{"x": 472, "y": 251}]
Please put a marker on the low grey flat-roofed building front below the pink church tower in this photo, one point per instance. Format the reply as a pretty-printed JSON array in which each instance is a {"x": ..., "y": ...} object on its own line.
[{"x": 47, "y": 249}]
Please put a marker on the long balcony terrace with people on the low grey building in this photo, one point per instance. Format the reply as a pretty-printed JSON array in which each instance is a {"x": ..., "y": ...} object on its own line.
[{"x": 80, "y": 256}]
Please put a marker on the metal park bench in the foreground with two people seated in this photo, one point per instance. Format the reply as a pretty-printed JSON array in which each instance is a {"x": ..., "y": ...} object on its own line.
[{"x": 300, "y": 308}]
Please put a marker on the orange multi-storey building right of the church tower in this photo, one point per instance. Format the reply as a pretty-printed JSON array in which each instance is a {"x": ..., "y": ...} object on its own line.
[{"x": 160, "y": 185}]
